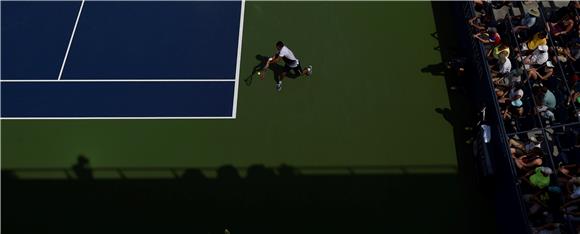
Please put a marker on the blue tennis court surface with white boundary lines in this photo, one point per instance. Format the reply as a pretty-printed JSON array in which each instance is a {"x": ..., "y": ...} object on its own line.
[{"x": 103, "y": 59}]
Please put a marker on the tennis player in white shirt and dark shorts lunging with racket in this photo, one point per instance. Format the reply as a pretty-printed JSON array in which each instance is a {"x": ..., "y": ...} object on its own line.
[{"x": 291, "y": 64}]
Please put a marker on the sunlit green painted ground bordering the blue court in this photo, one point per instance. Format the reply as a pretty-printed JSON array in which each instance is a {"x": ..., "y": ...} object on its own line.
[{"x": 367, "y": 103}]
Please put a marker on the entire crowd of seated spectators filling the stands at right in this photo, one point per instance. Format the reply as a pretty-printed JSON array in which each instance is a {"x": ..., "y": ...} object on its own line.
[{"x": 533, "y": 55}]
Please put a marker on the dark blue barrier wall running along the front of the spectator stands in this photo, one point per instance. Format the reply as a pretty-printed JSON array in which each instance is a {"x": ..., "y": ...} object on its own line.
[{"x": 511, "y": 212}]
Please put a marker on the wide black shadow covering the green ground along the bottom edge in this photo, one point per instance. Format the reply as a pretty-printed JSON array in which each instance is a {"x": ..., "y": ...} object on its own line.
[{"x": 277, "y": 200}]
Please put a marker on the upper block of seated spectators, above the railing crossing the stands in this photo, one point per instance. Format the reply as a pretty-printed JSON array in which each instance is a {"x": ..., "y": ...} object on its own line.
[{"x": 533, "y": 60}]
